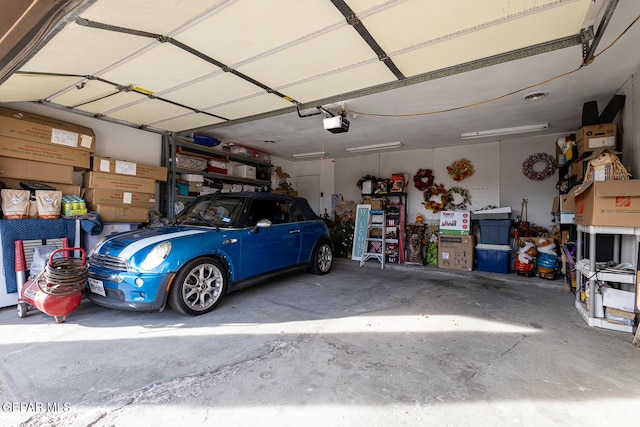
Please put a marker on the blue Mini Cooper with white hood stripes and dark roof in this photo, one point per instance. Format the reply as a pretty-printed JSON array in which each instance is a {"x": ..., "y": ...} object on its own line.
[{"x": 218, "y": 244}]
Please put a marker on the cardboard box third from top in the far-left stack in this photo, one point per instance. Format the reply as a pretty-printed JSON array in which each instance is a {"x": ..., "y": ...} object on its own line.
[{"x": 35, "y": 171}]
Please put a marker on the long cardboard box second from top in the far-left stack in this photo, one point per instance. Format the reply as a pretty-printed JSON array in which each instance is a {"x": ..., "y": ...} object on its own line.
[{"x": 47, "y": 153}]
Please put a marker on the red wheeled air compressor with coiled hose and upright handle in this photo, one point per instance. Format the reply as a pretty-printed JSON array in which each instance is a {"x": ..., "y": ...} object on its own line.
[{"x": 57, "y": 290}]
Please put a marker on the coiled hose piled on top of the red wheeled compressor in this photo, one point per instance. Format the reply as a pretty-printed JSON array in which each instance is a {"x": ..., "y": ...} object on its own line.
[{"x": 63, "y": 277}]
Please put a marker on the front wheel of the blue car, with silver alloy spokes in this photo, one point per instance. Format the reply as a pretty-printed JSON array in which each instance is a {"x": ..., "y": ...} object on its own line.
[{"x": 198, "y": 287}]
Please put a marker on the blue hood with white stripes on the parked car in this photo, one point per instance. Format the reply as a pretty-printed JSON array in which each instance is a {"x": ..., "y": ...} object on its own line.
[{"x": 126, "y": 244}]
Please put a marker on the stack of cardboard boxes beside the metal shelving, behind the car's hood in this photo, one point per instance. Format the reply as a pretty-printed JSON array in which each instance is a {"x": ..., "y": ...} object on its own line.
[{"x": 122, "y": 191}]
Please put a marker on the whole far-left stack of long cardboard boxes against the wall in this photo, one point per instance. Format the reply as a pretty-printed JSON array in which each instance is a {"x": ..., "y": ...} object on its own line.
[{"x": 42, "y": 149}]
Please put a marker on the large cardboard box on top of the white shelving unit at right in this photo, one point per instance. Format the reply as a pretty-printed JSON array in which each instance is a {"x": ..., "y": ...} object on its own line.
[{"x": 612, "y": 203}]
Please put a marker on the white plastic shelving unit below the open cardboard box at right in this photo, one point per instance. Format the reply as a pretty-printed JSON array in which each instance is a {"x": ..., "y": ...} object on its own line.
[{"x": 588, "y": 274}]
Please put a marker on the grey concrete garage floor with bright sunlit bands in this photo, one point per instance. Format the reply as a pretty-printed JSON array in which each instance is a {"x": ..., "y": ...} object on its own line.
[{"x": 403, "y": 346}]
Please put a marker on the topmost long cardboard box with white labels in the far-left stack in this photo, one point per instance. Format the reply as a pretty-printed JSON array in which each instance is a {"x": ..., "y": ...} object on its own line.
[{"x": 45, "y": 130}]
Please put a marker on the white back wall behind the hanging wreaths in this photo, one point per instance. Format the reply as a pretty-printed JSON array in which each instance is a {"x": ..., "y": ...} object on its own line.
[{"x": 497, "y": 180}]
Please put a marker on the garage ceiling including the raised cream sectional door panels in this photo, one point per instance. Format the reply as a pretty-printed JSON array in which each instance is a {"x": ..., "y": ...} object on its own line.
[{"x": 253, "y": 71}]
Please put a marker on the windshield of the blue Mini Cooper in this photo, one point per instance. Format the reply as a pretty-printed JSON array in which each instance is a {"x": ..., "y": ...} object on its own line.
[{"x": 213, "y": 212}]
